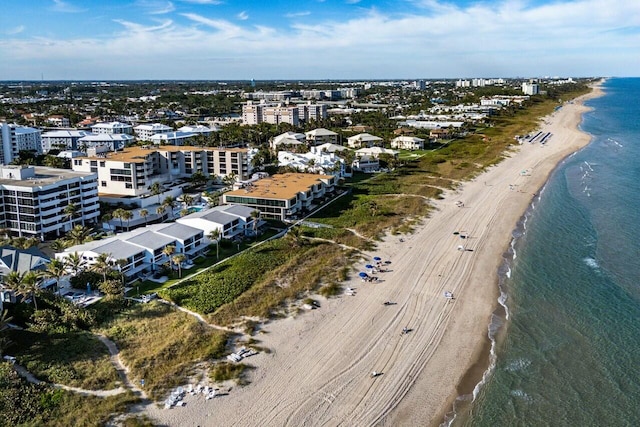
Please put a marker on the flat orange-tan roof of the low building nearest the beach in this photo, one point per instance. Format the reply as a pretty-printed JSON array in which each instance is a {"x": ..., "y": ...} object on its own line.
[{"x": 282, "y": 186}]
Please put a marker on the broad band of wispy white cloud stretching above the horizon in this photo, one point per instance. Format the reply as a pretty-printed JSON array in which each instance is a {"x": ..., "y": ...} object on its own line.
[{"x": 579, "y": 37}]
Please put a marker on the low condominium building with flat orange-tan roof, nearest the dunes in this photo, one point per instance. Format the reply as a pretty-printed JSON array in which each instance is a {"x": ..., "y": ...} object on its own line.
[{"x": 284, "y": 196}]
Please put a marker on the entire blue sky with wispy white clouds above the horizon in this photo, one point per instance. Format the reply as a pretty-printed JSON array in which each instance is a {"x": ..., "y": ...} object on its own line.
[{"x": 317, "y": 39}]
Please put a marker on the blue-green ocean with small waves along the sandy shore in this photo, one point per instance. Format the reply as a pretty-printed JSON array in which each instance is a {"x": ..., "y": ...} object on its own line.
[{"x": 567, "y": 351}]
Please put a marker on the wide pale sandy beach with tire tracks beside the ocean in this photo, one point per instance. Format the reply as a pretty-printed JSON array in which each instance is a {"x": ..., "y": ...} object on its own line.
[{"x": 318, "y": 370}]
